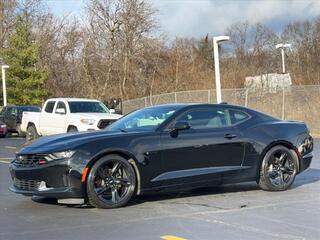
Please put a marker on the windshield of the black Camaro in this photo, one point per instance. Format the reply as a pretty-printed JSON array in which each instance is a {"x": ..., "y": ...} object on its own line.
[{"x": 144, "y": 119}]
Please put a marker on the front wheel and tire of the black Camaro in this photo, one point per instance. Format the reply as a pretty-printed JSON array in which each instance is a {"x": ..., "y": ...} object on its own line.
[{"x": 111, "y": 182}]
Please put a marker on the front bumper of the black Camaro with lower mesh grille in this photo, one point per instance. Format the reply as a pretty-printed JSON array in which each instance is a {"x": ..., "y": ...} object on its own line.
[{"x": 55, "y": 180}]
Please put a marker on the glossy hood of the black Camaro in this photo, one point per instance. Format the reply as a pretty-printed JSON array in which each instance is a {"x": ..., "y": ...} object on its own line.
[{"x": 67, "y": 141}]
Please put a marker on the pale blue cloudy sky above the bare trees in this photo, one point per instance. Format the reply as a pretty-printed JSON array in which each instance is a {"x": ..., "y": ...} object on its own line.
[{"x": 196, "y": 18}]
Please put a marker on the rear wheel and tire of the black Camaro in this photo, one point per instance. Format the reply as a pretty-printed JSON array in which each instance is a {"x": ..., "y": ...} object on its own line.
[{"x": 278, "y": 169}]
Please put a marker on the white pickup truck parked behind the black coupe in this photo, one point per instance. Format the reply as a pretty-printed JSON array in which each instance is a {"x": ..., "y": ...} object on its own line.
[{"x": 62, "y": 115}]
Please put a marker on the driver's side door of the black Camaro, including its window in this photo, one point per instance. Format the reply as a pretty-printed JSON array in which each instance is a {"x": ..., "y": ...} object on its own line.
[{"x": 212, "y": 149}]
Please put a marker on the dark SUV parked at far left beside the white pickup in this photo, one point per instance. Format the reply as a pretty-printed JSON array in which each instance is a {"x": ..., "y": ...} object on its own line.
[{"x": 12, "y": 115}]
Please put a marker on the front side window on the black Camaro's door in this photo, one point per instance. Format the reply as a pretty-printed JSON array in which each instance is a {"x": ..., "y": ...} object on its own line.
[{"x": 206, "y": 118}]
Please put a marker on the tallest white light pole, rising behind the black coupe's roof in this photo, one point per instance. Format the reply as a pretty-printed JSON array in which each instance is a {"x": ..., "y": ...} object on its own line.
[{"x": 216, "y": 41}]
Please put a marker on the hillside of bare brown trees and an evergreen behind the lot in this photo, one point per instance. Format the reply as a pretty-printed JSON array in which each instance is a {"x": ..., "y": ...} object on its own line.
[{"x": 115, "y": 50}]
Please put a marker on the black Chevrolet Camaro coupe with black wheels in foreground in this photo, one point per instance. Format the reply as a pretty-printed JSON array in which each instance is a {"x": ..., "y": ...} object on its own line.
[{"x": 164, "y": 148}]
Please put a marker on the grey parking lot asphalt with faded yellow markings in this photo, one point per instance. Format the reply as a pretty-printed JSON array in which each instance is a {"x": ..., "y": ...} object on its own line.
[{"x": 240, "y": 211}]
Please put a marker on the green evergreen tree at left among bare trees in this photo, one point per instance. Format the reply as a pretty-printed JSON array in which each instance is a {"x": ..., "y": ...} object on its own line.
[{"x": 25, "y": 79}]
